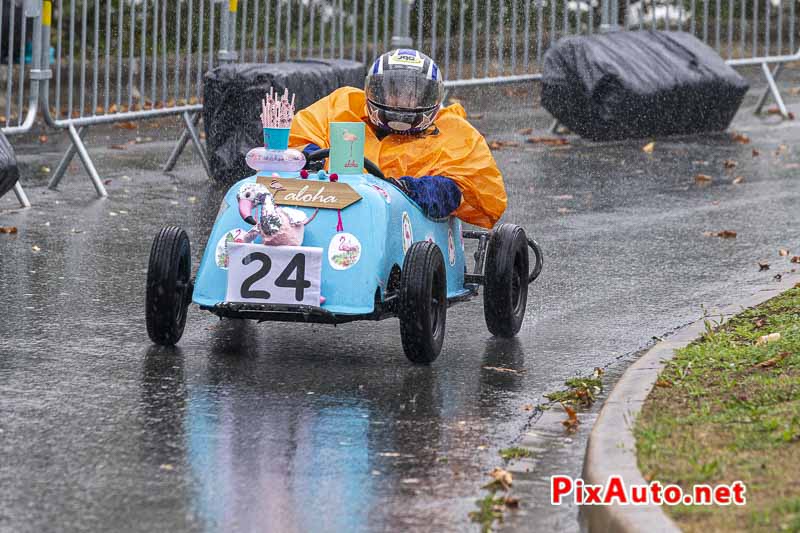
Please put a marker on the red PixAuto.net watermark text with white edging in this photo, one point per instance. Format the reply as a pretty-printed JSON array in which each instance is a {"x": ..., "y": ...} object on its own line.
[{"x": 565, "y": 489}]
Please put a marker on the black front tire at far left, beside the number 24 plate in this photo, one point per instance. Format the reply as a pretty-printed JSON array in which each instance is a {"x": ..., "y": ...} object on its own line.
[{"x": 169, "y": 286}]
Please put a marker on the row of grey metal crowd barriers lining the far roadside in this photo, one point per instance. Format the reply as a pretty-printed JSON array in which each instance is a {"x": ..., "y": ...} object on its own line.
[{"x": 100, "y": 61}]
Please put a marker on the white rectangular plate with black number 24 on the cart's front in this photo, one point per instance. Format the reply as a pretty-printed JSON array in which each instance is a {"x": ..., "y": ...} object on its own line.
[{"x": 274, "y": 274}]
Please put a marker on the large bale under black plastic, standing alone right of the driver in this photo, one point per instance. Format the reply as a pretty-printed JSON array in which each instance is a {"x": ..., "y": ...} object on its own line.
[{"x": 639, "y": 84}]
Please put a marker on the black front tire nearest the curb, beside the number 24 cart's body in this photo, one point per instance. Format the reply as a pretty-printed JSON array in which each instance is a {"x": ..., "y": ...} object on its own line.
[{"x": 423, "y": 302}]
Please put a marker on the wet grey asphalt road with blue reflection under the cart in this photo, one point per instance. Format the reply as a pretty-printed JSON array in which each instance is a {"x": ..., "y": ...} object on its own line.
[{"x": 288, "y": 427}]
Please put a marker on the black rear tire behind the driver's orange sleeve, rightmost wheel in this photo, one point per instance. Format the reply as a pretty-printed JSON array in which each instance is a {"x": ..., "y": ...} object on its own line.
[{"x": 506, "y": 280}]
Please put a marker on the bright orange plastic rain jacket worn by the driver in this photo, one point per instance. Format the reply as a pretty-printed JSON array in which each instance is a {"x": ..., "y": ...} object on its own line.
[{"x": 457, "y": 152}]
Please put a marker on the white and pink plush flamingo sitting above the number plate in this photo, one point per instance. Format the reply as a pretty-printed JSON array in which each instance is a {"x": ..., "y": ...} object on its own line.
[{"x": 277, "y": 226}]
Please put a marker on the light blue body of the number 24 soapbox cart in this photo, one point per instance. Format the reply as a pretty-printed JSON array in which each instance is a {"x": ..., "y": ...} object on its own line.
[{"x": 376, "y": 220}]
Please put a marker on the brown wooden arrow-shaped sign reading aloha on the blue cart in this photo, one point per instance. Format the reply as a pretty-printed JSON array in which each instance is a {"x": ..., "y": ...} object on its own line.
[{"x": 310, "y": 192}]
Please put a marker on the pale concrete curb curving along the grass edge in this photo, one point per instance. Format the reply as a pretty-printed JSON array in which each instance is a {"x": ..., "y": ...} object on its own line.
[{"x": 611, "y": 449}]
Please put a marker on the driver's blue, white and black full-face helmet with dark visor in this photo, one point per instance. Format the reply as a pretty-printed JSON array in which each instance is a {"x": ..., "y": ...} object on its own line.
[{"x": 404, "y": 91}]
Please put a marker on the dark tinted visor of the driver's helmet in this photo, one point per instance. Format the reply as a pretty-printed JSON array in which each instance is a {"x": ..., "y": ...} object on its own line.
[{"x": 404, "y": 90}]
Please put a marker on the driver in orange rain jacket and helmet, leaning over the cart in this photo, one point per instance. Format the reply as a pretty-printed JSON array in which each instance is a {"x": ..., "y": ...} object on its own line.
[{"x": 443, "y": 162}]
